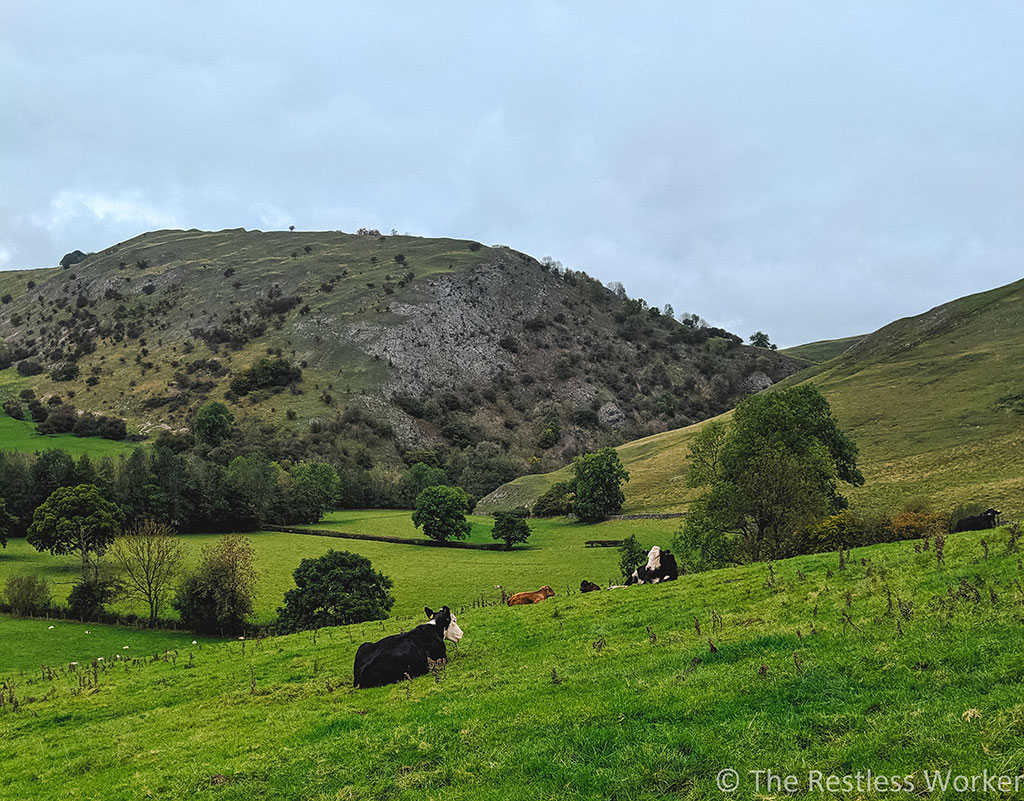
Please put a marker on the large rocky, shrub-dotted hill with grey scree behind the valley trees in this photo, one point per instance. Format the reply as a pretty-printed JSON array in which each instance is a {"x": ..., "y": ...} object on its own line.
[{"x": 381, "y": 345}]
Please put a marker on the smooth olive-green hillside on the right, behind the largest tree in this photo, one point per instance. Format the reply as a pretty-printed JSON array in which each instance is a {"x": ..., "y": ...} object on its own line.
[{"x": 920, "y": 397}]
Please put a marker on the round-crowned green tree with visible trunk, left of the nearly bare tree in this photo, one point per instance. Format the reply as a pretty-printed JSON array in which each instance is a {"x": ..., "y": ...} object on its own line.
[{"x": 76, "y": 520}]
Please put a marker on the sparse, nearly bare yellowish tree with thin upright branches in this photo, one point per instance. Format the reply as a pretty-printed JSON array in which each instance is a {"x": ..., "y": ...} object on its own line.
[{"x": 150, "y": 558}]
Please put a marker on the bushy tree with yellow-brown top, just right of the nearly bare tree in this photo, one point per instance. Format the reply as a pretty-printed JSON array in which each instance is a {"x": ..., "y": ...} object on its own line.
[{"x": 219, "y": 598}]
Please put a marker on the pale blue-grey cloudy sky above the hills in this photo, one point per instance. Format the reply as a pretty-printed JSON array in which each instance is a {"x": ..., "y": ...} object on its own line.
[{"x": 813, "y": 171}]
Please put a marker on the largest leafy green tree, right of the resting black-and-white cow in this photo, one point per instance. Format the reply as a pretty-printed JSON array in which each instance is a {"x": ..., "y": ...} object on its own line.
[{"x": 773, "y": 472}]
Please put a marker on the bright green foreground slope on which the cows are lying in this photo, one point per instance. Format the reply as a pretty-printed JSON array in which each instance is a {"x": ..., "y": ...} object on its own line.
[{"x": 609, "y": 696}]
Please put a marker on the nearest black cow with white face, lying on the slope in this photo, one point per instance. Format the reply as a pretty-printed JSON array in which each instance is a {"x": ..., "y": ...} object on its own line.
[{"x": 409, "y": 654}]
